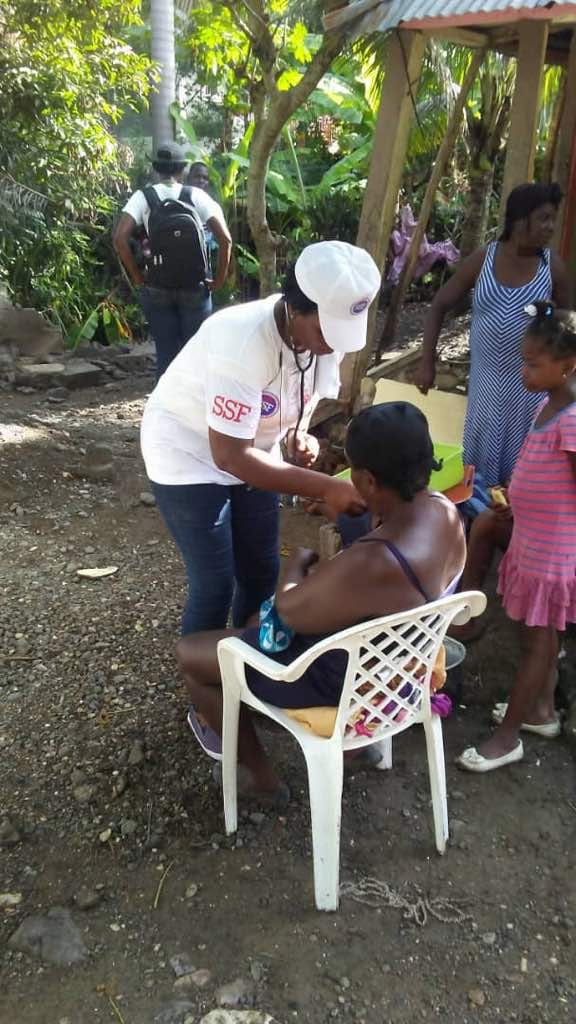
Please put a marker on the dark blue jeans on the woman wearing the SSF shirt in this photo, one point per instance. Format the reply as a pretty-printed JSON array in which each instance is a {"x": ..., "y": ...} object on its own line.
[{"x": 229, "y": 539}]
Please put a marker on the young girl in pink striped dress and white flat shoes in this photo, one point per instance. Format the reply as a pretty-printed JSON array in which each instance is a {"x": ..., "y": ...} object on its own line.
[{"x": 539, "y": 573}]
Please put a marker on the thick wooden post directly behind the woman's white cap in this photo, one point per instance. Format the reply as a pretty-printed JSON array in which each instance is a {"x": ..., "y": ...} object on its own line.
[{"x": 404, "y": 62}]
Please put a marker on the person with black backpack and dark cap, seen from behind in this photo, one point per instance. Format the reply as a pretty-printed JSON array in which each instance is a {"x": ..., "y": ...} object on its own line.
[{"x": 176, "y": 288}]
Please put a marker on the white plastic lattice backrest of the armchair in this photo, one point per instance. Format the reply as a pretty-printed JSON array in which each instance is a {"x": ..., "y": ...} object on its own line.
[{"x": 391, "y": 663}]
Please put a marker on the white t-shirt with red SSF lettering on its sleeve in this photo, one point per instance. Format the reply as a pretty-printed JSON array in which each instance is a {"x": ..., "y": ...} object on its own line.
[{"x": 237, "y": 377}]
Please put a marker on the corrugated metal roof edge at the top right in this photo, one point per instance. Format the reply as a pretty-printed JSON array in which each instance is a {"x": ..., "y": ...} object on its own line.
[{"x": 374, "y": 17}]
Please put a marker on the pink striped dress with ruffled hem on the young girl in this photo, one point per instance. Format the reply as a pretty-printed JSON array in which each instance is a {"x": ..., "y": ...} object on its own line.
[{"x": 539, "y": 573}]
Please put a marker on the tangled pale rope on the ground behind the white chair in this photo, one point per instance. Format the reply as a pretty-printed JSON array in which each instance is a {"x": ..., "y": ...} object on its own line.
[{"x": 417, "y": 909}]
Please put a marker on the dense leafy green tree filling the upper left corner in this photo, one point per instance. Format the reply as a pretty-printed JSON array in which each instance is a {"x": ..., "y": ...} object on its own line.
[{"x": 67, "y": 74}]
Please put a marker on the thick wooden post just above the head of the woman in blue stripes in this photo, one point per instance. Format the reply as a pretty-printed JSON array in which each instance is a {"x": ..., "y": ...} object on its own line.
[{"x": 526, "y": 108}]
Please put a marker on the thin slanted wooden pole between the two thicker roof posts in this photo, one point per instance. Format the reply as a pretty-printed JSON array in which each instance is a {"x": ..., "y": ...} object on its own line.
[{"x": 444, "y": 154}]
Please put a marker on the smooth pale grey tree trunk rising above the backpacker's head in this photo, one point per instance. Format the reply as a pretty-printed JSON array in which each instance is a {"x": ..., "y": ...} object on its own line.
[{"x": 164, "y": 94}]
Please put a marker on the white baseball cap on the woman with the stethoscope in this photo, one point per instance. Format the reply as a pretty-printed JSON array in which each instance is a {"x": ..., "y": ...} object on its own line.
[{"x": 343, "y": 280}]
